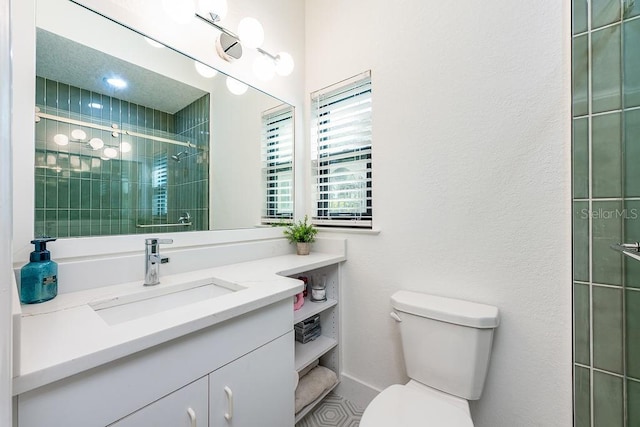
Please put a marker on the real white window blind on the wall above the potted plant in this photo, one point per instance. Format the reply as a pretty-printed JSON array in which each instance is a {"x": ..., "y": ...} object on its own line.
[{"x": 341, "y": 153}]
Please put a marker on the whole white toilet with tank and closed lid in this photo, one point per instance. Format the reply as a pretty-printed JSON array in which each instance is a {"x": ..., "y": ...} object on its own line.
[{"x": 447, "y": 346}]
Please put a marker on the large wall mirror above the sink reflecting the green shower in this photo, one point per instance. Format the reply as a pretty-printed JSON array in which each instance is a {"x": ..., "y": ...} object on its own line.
[{"x": 168, "y": 148}]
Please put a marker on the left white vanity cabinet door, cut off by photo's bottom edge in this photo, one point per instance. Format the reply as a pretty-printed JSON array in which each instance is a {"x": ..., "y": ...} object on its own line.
[{"x": 186, "y": 407}]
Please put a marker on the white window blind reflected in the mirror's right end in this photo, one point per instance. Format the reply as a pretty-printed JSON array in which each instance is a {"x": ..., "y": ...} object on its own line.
[{"x": 277, "y": 163}]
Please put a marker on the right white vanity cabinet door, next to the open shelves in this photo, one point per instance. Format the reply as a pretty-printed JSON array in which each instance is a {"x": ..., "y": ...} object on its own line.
[{"x": 256, "y": 389}]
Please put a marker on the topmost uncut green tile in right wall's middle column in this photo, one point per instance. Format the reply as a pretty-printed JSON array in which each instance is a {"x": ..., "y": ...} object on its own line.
[{"x": 606, "y": 69}]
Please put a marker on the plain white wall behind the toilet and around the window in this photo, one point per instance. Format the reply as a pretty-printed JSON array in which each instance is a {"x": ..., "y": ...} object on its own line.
[{"x": 471, "y": 164}]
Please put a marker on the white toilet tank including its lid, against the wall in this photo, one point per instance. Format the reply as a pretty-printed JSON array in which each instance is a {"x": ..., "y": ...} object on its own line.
[{"x": 446, "y": 342}]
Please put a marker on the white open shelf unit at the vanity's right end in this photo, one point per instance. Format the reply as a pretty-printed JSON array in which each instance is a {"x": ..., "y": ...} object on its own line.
[{"x": 326, "y": 346}]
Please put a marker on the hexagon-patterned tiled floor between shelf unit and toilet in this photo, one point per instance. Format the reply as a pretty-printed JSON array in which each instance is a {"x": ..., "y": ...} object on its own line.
[{"x": 334, "y": 411}]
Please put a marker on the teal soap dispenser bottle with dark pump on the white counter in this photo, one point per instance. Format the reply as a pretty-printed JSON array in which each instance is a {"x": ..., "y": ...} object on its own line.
[{"x": 39, "y": 278}]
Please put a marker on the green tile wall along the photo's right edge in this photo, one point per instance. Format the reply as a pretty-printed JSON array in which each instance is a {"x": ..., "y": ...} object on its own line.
[{"x": 606, "y": 210}]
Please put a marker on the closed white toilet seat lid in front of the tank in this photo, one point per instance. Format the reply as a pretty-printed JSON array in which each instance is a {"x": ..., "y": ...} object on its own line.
[{"x": 405, "y": 406}]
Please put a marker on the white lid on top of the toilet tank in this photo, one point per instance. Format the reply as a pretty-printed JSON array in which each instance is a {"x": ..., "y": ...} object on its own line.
[{"x": 448, "y": 310}]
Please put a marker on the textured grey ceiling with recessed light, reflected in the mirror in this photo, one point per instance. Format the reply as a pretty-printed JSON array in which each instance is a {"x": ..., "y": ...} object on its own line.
[{"x": 66, "y": 61}]
